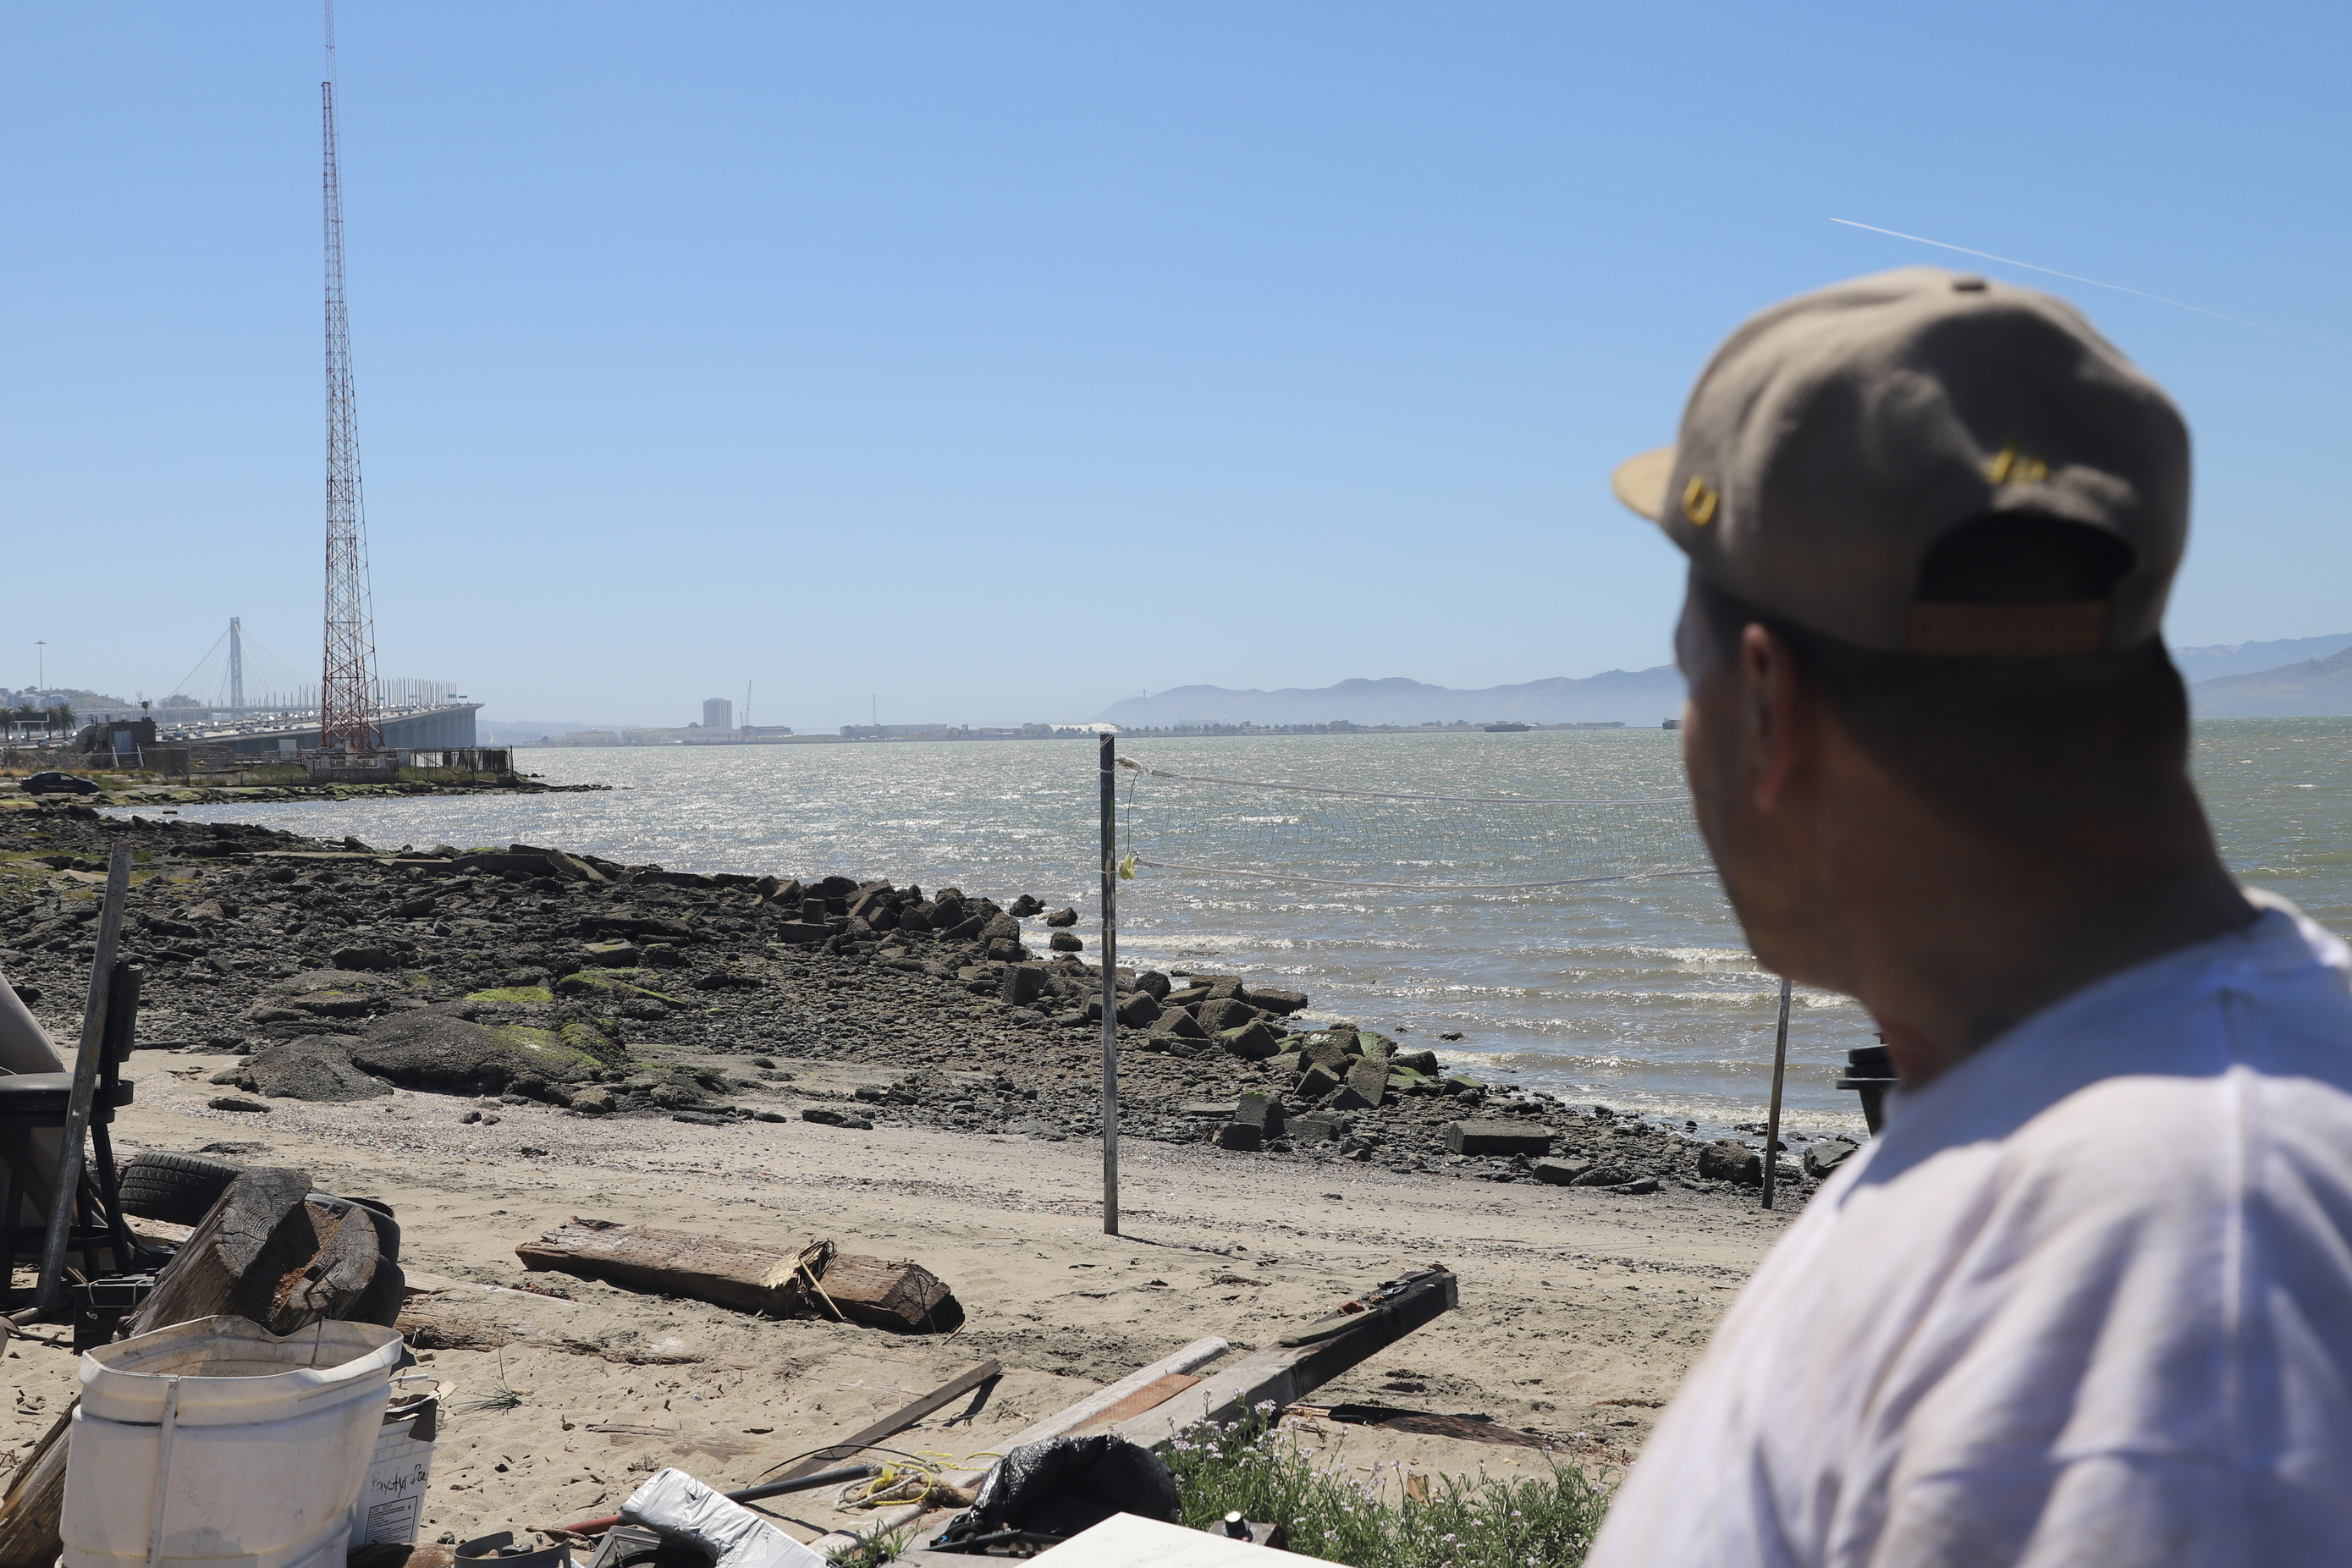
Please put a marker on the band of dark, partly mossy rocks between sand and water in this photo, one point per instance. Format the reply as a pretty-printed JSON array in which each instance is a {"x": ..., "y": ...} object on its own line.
[{"x": 526, "y": 974}]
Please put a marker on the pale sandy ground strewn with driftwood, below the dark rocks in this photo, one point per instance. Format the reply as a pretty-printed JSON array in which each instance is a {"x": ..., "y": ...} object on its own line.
[{"x": 1579, "y": 1311}]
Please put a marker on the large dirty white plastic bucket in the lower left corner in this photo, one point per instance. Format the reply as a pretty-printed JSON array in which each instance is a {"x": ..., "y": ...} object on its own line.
[{"x": 218, "y": 1445}]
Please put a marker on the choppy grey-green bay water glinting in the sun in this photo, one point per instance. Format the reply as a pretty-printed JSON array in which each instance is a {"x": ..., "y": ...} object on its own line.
[{"x": 1629, "y": 993}]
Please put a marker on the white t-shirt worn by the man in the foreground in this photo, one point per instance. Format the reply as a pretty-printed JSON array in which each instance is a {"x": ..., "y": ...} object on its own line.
[{"x": 2085, "y": 1301}]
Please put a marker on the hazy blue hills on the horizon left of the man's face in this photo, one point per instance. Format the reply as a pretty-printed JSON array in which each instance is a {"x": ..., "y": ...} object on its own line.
[{"x": 1629, "y": 697}]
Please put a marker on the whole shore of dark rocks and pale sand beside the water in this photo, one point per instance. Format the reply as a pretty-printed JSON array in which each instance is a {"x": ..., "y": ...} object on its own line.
[{"x": 878, "y": 1090}]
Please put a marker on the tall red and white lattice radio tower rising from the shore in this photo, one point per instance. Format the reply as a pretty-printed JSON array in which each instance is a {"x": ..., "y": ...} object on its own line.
[{"x": 347, "y": 711}]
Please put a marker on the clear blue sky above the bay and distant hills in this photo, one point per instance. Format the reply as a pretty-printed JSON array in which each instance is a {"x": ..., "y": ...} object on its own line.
[{"x": 1013, "y": 359}]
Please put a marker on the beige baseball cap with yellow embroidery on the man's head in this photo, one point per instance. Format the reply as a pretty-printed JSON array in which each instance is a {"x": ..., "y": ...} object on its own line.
[{"x": 1836, "y": 438}]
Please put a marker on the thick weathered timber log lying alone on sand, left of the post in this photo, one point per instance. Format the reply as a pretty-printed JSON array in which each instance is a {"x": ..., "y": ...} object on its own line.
[{"x": 749, "y": 1275}]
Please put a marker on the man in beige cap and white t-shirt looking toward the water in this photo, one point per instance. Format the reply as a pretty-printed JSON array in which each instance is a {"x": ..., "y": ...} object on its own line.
[{"x": 2090, "y": 1296}]
